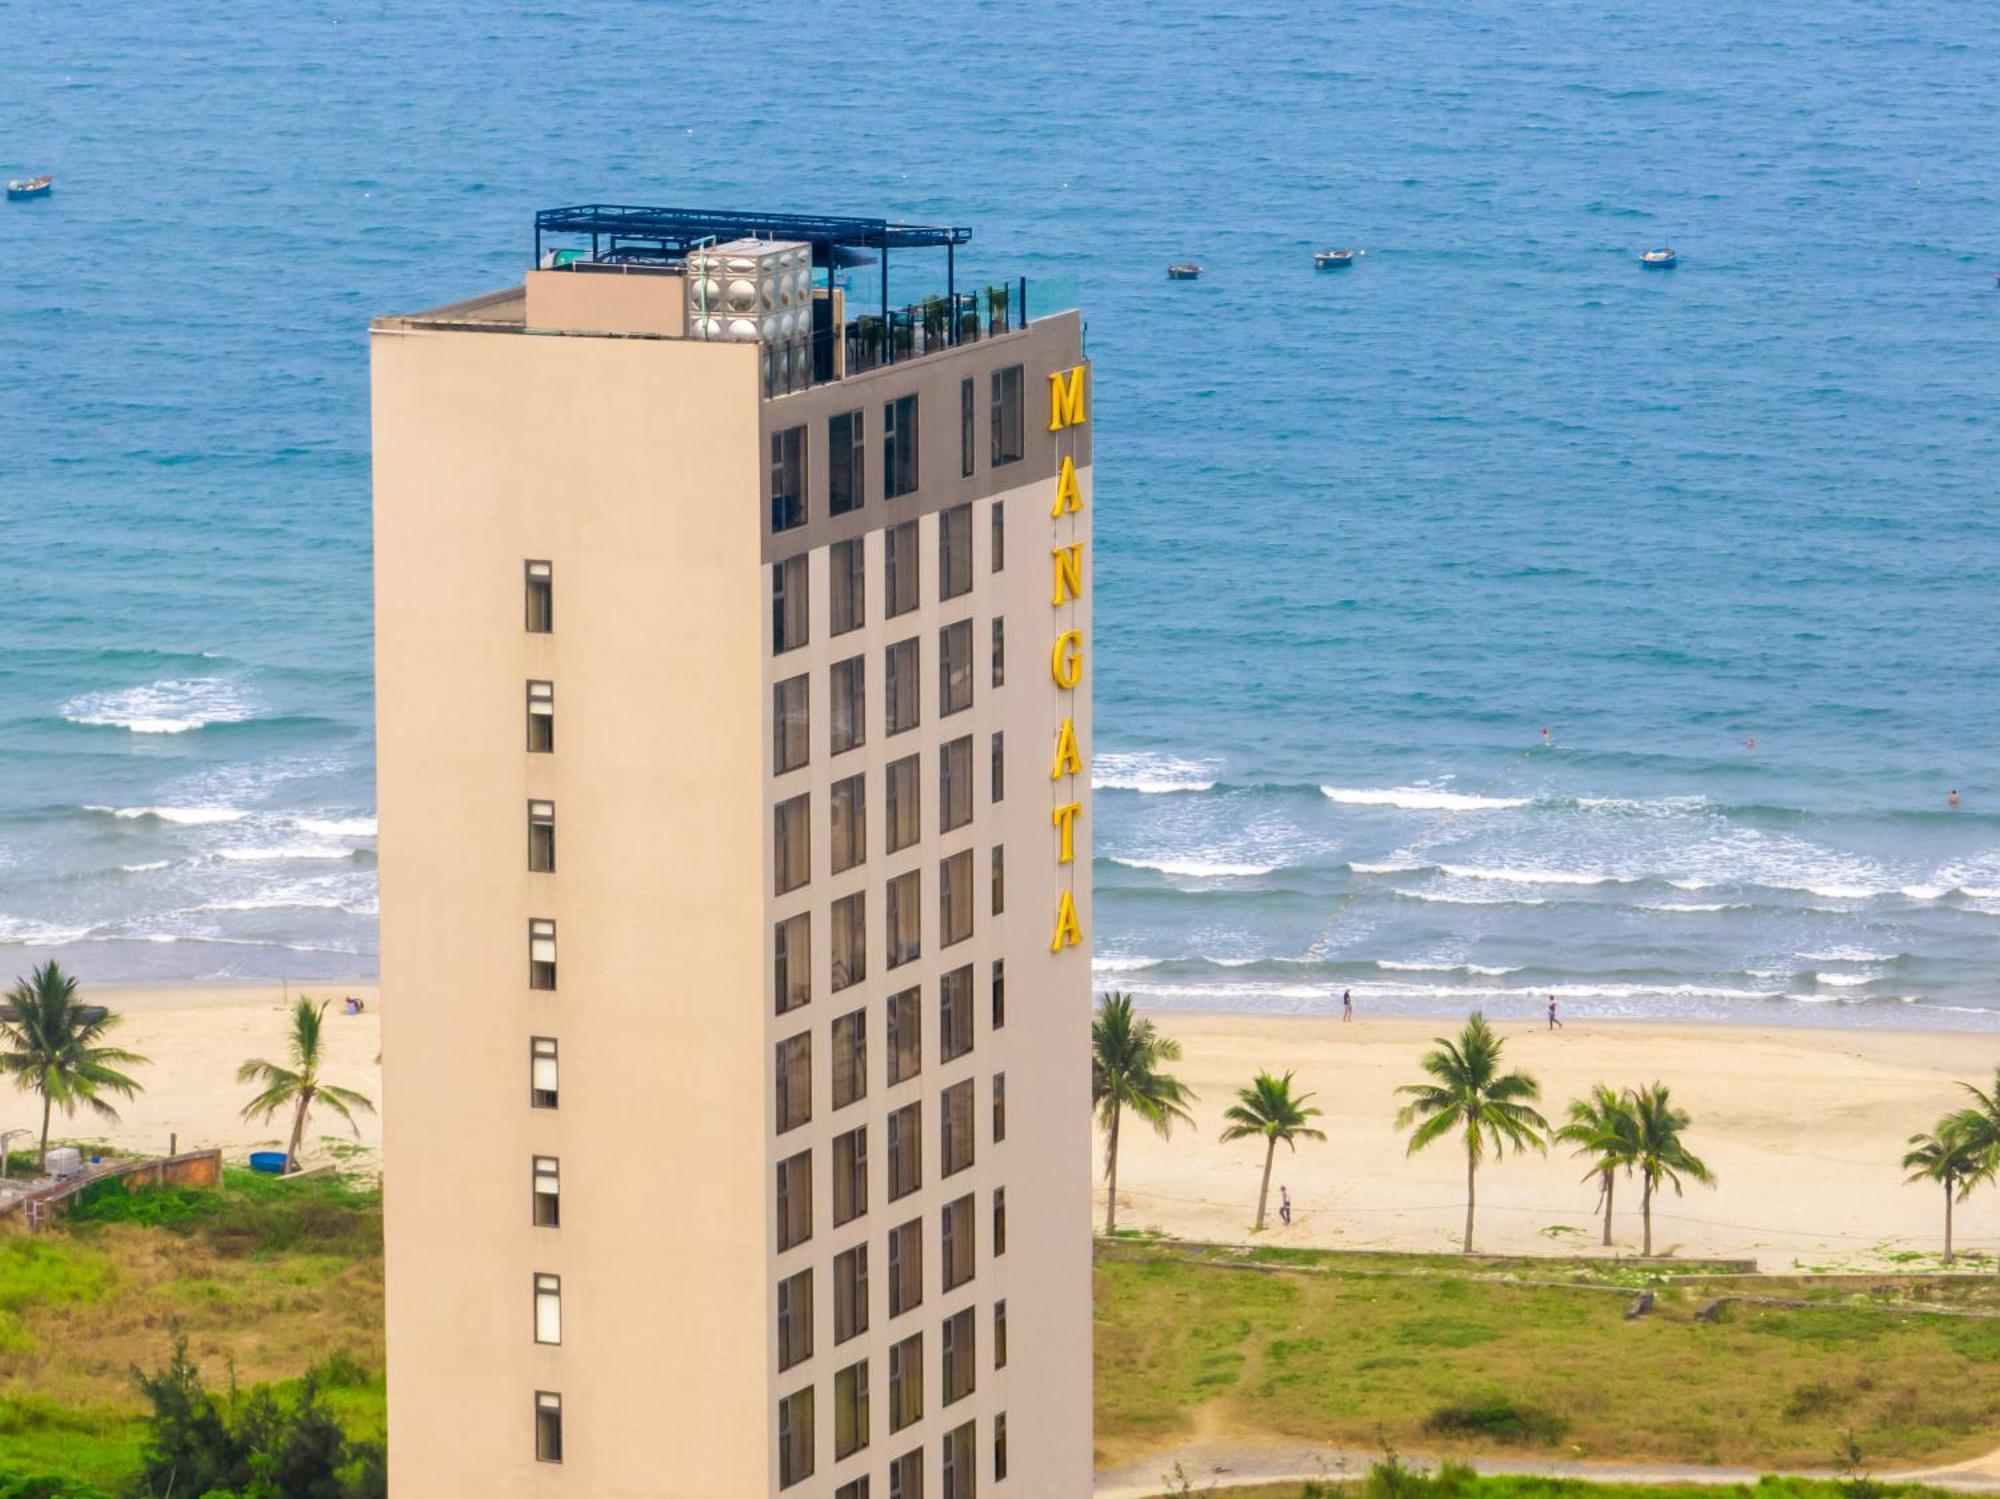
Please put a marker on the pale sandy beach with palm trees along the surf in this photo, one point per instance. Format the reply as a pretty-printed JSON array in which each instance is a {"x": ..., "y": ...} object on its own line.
[{"x": 1803, "y": 1128}]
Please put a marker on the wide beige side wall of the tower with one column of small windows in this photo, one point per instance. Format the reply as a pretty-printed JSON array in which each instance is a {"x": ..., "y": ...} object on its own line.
[{"x": 633, "y": 467}]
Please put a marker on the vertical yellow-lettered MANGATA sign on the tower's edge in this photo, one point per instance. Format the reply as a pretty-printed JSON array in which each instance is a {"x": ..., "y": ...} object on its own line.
[{"x": 1067, "y": 409}]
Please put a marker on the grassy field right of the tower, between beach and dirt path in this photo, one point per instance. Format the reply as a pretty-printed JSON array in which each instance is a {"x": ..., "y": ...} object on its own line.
[{"x": 1453, "y": 1356}]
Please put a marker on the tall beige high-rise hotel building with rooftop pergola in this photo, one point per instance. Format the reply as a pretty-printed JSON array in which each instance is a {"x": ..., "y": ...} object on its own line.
[{"x": 735, "y": 729}]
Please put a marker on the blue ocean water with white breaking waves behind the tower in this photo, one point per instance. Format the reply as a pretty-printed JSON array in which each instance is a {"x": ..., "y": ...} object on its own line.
[{"x": 1725, "y": 533}]
